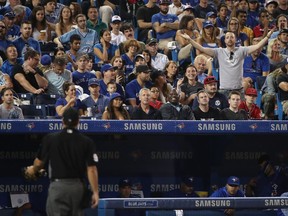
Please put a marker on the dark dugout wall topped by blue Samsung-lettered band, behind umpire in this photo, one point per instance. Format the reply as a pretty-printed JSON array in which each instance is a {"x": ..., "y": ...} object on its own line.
[{"x": 154, "y": 161}]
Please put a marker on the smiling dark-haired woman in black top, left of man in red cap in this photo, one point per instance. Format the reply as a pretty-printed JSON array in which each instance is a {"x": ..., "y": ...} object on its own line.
[{"x": 189, "y": 86}]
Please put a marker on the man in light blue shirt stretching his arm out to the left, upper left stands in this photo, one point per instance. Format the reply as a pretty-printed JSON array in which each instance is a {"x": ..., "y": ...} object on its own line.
[{"x": 88, "y": 36}]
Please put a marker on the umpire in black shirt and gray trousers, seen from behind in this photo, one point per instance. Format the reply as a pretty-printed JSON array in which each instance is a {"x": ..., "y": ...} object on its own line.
[{"x": 71, "y": 156}]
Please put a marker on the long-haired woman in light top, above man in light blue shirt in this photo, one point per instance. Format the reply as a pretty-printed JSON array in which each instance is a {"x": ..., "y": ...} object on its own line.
[{"x": 65, "y": 21}]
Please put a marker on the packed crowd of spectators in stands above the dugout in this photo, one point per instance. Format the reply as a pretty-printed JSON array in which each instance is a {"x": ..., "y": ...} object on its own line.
[{"x": 114, "y": 60}]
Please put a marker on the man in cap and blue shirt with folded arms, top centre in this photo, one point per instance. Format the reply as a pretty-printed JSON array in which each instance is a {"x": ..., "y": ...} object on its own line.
[{"x": 165, "y": 25}]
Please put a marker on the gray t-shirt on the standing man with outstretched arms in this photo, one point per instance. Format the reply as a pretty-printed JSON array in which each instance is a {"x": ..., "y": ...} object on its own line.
[{"x": 231, "y": 67}]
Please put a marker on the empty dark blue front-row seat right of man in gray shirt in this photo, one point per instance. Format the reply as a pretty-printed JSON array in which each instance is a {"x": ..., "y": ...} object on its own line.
[{"x": 33, "y": 111}]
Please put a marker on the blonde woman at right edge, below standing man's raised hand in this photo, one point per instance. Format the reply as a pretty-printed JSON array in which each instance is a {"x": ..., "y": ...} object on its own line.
[{"x": 276, "y": 59}]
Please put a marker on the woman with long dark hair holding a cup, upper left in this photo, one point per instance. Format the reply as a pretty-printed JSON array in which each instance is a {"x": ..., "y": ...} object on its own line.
[{"x": 41, "y": 29}]
